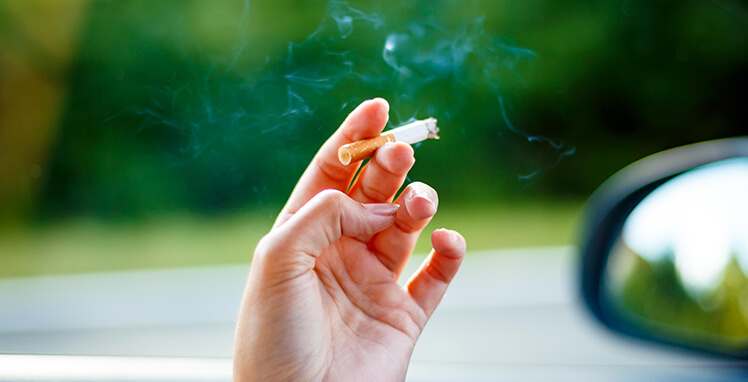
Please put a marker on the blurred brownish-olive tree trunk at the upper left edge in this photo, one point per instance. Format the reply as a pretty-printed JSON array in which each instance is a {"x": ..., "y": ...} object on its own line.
[{"x": 38, "y": 41}]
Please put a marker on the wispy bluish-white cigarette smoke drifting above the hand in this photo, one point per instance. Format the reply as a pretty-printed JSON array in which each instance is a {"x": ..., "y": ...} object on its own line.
[{"x": 425, "y": 60}]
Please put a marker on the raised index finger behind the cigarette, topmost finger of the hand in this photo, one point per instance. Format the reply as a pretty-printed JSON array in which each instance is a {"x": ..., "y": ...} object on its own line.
[{"x": 326, "y": 172}]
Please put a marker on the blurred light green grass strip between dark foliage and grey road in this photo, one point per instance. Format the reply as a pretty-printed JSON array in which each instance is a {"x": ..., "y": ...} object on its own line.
[{"x": 186, "y": 240}]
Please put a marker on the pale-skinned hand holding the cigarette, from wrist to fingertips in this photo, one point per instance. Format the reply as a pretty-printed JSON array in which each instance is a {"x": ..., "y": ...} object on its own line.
[{"x": 322, "y": 302}]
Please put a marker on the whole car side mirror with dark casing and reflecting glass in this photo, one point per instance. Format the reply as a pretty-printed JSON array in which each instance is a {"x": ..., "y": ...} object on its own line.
[{"x": 665, "y": 248}]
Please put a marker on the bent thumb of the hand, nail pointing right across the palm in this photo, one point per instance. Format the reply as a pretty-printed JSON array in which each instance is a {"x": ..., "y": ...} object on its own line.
[{"x": 326, "y": 218}]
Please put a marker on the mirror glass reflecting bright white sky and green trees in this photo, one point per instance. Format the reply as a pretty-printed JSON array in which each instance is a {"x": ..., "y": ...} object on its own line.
[{"x": 679, "y": 267}]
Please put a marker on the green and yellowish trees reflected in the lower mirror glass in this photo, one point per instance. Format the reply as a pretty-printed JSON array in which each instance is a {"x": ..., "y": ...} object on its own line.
[{"x": 653, "y": 299}]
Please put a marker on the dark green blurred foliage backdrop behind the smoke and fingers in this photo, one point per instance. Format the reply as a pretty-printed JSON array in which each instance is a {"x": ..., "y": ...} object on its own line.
[{"x": 212, "y": 106}]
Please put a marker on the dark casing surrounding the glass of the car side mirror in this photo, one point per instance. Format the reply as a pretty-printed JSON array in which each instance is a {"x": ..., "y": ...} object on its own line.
[{"x": 606, "y": 210}]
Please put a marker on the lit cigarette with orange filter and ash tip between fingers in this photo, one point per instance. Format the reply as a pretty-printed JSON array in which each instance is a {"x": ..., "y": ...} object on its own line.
[{"x": 411, "y": 133}]
